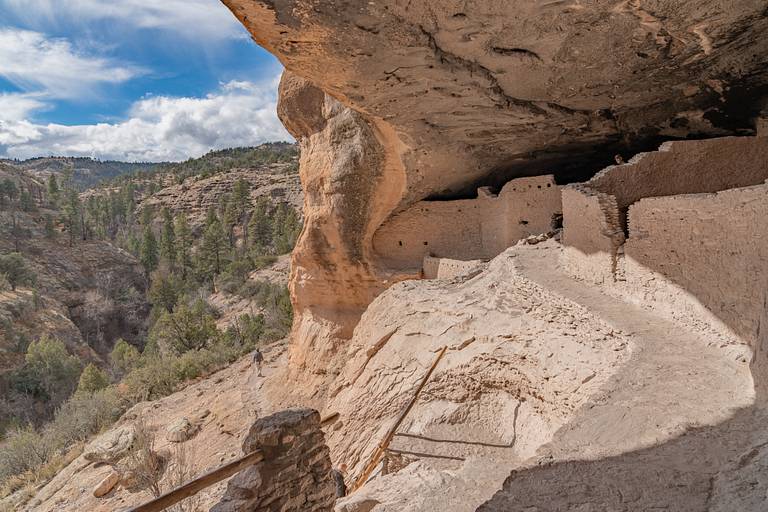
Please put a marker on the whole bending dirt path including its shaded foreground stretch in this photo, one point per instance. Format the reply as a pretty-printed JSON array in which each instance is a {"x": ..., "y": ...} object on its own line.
[{"x": 675, "y": 430}]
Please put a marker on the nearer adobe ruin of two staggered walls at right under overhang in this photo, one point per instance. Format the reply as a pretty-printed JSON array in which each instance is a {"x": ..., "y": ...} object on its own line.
[{"x": 680, "y": 226}]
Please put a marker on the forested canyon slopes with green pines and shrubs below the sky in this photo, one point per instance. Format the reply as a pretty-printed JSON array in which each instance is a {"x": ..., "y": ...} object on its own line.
[{"x": 195, "y": 235}]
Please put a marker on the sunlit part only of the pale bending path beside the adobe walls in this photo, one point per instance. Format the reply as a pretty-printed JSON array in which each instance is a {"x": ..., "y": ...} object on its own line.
[{"x": 673, "y": 381}]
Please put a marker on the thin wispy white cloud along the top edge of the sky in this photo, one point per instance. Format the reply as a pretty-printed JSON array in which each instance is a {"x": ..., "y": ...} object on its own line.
[{"x": 208, "y": 19}]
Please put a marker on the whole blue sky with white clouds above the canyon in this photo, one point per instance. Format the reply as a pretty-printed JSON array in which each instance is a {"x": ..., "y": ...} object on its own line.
[{"x": 146, "y": 80}]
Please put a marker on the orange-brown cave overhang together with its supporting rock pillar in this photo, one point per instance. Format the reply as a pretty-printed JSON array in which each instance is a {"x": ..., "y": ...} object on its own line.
[{"x": 402, "y": 101}]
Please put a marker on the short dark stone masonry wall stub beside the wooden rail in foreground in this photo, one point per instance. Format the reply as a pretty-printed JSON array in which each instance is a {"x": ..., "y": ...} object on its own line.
[{"x": 295, "y": 475}]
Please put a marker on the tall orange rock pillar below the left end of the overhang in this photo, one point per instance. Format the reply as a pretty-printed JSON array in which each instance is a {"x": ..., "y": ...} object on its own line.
[{"x": 352, "y": 178}]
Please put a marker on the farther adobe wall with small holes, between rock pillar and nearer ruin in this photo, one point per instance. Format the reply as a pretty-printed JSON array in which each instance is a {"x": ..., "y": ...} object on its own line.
[{"x": 467, "y": 229}]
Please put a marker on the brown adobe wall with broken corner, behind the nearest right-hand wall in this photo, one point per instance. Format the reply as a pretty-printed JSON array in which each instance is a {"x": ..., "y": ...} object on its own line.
[{"x": 595, "y": 212}]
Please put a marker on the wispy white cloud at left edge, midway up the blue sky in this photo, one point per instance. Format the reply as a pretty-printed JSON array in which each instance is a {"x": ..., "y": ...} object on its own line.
[{"x": 31, "y": 61}]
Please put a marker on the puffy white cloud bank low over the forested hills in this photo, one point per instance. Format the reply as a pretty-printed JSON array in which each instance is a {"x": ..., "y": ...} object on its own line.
[{"x": 159, "y": 128}]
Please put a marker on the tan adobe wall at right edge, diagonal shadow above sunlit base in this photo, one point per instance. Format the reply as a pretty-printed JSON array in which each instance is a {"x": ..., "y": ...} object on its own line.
[{"x": 707, "y": 250}]
